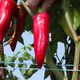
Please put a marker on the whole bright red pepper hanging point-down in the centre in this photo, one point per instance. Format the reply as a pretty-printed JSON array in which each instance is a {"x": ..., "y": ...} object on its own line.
[{"x": 41, "y": 33}]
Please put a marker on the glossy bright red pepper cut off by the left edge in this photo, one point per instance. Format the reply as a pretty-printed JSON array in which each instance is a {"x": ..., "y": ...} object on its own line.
[{"x": 6, "y": 10}]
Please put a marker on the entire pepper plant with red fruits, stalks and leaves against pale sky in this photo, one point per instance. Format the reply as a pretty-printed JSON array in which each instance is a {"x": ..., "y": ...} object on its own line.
[{"x": 60, "y": 18}]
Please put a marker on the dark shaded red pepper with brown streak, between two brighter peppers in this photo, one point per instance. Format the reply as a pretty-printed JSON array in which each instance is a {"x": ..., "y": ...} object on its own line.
[{"x": 18, "y": 28}]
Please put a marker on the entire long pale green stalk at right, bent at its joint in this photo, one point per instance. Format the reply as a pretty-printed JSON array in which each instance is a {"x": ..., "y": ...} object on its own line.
[{"x": 75, "y": 38}]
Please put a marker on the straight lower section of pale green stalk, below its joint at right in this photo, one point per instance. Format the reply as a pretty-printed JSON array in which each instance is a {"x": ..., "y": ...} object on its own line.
[{"x": 76, "y": 61}]
